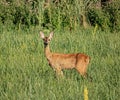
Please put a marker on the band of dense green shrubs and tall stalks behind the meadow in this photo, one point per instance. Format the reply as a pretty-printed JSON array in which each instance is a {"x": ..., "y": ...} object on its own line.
[{"x": 61, "y": 14}]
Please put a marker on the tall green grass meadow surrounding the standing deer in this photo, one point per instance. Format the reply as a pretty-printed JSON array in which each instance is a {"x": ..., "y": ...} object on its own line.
[{"x": 26, "y": 75}]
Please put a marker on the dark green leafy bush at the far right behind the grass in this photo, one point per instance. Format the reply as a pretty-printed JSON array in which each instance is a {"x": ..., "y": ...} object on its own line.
[{"x": 108, "y": 17}]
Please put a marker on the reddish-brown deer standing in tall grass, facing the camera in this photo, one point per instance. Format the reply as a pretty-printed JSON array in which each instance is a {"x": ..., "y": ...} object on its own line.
[{"x": 60, "y": 61}]
